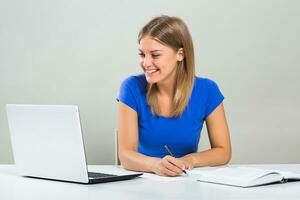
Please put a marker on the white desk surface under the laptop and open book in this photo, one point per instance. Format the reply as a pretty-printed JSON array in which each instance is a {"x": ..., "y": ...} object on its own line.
[{"x": 14, "y": 187}]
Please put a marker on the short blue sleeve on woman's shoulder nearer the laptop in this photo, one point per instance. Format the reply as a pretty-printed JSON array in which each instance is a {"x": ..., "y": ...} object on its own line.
[{"x": 126, "y": 94}]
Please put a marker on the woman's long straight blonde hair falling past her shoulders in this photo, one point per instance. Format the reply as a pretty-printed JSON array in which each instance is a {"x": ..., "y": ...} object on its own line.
[{"x": 172, "y": 32}]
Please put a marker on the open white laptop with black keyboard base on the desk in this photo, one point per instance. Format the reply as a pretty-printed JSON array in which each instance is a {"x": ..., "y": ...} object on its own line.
[{"x": 47, "y": 143}]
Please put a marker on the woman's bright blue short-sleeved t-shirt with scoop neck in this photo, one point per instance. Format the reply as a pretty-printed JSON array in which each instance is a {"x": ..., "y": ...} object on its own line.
[{"x": 181, "y": 134}]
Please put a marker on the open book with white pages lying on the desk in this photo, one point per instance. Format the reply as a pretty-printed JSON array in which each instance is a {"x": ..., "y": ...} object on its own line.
[{"x": 246, "y": 176}]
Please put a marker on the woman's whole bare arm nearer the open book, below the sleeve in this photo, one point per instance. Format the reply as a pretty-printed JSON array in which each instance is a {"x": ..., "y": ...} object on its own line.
[{"x": 218, "y": 132}]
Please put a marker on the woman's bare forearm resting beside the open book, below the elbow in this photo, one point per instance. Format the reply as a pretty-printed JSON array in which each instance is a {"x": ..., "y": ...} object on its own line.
[{"x": 212, "y": 157}]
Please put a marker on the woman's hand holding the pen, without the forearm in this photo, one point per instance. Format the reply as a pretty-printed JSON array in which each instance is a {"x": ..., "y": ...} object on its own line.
[{"x": 168, "y": 166}]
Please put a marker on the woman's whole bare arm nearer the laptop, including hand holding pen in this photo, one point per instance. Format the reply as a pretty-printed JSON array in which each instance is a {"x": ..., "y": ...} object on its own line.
[{"x": 128, "y": 142}]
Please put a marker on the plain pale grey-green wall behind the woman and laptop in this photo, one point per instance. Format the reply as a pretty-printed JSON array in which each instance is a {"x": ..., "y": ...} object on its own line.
[{"x": 78, "y": 52}]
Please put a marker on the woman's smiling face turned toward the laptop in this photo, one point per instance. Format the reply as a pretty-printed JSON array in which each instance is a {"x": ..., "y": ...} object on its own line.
[{"x": 158, "y": 61}]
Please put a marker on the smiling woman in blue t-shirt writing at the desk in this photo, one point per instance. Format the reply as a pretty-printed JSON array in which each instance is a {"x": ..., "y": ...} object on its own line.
[{"x": 167, "y": 105}]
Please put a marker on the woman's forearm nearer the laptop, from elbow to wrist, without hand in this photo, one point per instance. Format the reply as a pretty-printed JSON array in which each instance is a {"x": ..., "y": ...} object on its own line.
[{"x": 135, "y": 161}]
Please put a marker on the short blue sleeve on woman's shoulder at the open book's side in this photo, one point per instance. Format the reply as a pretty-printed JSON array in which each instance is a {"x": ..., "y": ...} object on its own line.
[{"x": 214, "y": 97}]
